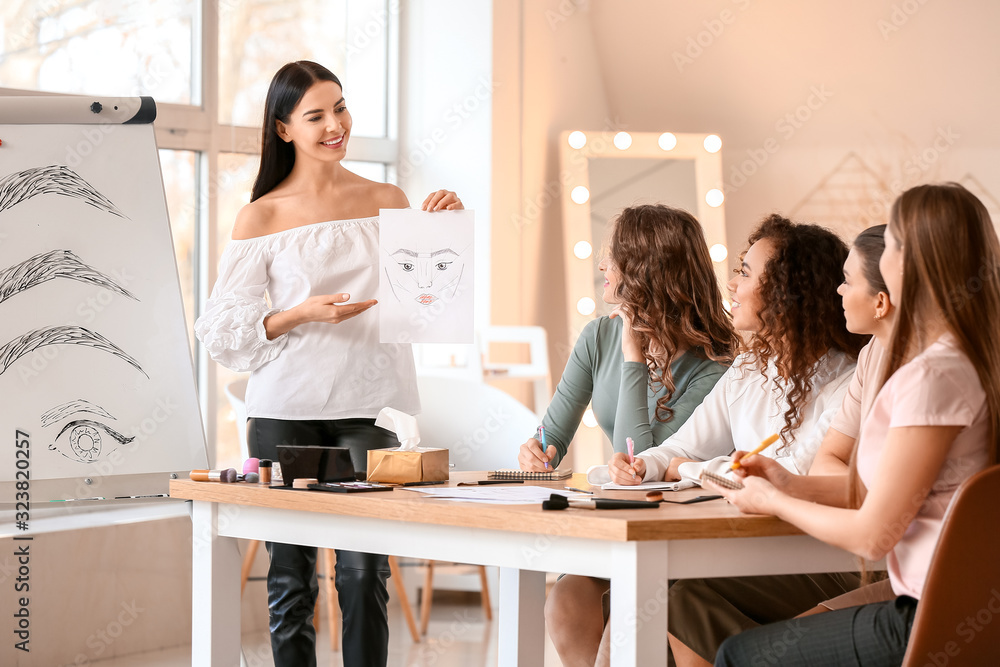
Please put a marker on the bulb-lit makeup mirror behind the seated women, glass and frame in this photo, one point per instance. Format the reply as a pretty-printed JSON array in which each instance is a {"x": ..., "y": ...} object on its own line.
[{"x": 603, "y": 172}]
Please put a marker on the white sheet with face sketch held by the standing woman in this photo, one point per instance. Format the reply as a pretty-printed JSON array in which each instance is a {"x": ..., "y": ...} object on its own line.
[{"x": 426, "y": 269}]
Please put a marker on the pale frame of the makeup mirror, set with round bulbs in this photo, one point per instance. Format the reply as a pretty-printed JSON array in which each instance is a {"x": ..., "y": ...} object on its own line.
[{"x": 576, "y": 222}]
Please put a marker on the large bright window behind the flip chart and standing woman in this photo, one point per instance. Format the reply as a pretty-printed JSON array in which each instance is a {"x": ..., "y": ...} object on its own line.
[{"x": 207, "y": 64}]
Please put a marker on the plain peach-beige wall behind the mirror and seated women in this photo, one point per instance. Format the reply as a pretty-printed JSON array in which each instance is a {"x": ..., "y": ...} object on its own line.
[{"x": 901, "y": 92}]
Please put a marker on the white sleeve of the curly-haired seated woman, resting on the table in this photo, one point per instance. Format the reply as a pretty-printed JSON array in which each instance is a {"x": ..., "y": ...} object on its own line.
[{"x": 705, "y": 435}]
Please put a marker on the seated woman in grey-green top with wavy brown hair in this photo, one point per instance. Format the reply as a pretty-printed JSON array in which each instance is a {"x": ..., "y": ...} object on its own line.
[{"x": 669, "y": 340}]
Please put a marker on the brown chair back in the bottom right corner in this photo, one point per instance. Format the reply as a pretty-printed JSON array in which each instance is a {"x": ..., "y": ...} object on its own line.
[{"x": 958, "y": 616}]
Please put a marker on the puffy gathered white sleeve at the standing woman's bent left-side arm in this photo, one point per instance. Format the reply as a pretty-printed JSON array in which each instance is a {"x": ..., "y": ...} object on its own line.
[{"x": 232, "y": 325}]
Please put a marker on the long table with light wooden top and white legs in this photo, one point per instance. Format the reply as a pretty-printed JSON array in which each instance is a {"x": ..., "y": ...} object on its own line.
[{"x": 638, "y": 550}]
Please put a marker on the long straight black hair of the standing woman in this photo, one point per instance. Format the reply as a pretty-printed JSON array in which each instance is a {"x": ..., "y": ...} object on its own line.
[{"x": 287, "y": 87}]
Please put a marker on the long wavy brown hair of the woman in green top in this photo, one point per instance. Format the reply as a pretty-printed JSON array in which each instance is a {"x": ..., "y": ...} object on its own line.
[{"x": 669, "y": 291}]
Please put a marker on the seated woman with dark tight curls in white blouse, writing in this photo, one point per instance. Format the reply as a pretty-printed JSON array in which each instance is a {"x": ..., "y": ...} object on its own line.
[{"x": 791, "y": 379}]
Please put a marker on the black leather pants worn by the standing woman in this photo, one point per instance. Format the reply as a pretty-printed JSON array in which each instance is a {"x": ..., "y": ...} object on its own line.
[{"x": 291, "y": 578}]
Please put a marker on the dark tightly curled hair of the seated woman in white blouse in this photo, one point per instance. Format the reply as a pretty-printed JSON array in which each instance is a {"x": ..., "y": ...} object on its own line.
[{"x": 801, "y": 315}]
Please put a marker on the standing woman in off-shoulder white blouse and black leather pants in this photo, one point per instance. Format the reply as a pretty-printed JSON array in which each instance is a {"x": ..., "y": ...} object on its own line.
[{"x": 282, "y": 308}]
